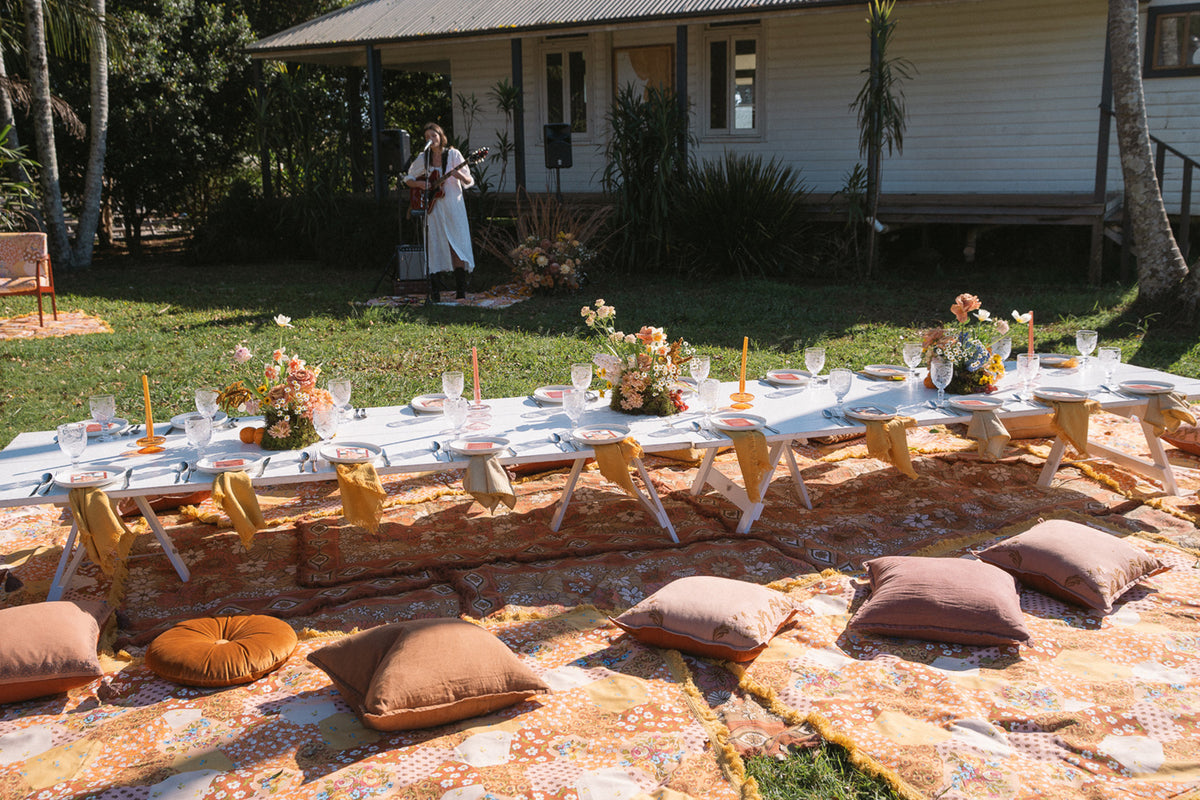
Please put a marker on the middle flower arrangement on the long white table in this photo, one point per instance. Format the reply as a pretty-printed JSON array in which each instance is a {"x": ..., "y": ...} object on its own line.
[{"x": 643, "y": 370}]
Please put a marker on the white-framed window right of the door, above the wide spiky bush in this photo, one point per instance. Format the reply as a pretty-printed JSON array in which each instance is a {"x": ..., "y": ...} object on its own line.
[{"x": 733, "y": 62}]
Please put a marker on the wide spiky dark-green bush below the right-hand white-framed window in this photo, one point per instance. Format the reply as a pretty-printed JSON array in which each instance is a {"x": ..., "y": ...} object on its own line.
[{"x": 741, "y": 216}]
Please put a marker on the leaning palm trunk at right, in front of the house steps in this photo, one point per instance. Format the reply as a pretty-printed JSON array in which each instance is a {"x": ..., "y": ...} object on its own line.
[{"x": 1161, "y": 268}]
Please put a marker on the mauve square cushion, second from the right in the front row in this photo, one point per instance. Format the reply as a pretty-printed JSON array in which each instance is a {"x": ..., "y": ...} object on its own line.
[{"x": 944, "y": 600}]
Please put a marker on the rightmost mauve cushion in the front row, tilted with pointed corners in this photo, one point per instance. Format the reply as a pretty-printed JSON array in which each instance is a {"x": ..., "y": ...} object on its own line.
[{"x": 1075, "y": 563}]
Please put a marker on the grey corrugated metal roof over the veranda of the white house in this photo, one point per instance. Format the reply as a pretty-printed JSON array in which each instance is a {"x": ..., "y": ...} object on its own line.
[{"x": 398, "y": 21}]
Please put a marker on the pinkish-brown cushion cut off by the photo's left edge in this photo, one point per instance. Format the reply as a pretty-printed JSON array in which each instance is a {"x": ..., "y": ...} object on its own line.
[{"x": 49, "y": 648}]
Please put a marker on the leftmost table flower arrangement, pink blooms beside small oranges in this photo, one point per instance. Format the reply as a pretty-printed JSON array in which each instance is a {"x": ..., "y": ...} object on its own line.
[{"x": 286, "y": 395}]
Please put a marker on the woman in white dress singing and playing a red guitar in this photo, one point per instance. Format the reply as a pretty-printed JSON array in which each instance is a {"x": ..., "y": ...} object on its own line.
[{"x": 442, "y": 175}]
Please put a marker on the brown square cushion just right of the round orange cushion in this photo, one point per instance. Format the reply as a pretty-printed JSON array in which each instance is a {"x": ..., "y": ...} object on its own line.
[{"x": 424, "y": 673}]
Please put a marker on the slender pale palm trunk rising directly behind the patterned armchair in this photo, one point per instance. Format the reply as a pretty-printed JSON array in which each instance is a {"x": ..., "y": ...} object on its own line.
[{"x": 44, "y": 133}]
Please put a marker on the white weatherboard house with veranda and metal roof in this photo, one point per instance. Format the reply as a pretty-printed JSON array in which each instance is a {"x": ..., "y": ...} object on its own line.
[{"x": 1005, "y": 109}]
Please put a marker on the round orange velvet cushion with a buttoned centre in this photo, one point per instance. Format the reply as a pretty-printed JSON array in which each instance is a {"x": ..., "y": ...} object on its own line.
[{"x": 221, "y": 651}]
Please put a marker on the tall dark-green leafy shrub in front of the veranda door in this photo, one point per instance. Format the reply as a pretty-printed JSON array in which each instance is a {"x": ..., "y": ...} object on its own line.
[{"x": 645, "y": 164}]
